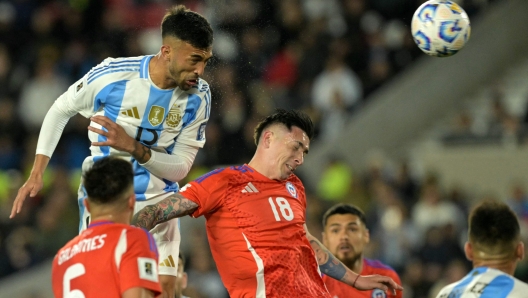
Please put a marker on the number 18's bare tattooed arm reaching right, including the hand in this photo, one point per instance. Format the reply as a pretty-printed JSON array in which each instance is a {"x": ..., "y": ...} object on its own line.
[{"x": 332, "y": 267}]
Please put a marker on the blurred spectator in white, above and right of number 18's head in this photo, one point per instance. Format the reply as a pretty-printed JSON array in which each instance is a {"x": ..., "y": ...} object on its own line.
[{"x": 336, "y": 92}]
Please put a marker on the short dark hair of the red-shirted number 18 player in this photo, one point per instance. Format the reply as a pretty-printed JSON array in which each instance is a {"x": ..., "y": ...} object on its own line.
[{"x": 287, "y": 118}]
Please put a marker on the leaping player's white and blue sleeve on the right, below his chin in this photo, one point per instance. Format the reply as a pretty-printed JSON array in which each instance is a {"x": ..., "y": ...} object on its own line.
[{"x": 193, "y": 131}]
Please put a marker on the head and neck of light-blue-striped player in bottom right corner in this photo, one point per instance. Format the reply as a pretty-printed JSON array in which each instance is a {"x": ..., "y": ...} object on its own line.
[{"x": 494, "y": 235}]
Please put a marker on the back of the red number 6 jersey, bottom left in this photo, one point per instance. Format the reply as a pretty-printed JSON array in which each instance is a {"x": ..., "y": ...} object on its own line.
[{"x": 104, "y": 261}]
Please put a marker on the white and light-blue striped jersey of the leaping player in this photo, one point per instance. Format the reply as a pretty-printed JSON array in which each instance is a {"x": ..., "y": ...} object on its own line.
[{"x": 121, "y": 89}]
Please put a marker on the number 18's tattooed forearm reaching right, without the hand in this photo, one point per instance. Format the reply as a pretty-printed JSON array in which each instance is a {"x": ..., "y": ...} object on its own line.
[{"x": 330, "y": 265}]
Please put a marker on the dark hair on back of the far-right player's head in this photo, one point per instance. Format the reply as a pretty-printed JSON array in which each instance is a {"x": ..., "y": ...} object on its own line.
[{"x": 494, "y": 228}]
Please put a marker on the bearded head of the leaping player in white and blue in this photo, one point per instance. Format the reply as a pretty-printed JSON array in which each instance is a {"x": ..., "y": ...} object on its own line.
[{"x": 187, "y": 45}]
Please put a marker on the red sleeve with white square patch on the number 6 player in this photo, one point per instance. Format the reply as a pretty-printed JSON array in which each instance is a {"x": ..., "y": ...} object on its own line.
[{"x": 139, "y": 264}]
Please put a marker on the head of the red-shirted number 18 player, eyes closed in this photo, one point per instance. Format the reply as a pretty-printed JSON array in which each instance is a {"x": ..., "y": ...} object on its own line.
[{"x": 283, "y": 139}]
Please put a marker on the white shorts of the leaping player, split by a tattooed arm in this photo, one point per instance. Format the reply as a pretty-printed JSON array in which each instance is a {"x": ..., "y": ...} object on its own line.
[{"x": 167, "y": 237}]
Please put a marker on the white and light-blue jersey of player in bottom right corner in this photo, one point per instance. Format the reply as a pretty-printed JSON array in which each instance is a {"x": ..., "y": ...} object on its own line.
[{"x": 484, "y": 282}]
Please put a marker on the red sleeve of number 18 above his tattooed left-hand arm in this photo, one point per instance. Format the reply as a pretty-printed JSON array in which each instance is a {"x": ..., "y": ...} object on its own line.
[{"x": 207, "y": 191}]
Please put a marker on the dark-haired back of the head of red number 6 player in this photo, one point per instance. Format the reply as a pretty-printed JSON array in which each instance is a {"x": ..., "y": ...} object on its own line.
[{"x": 109, "y": 185}]
